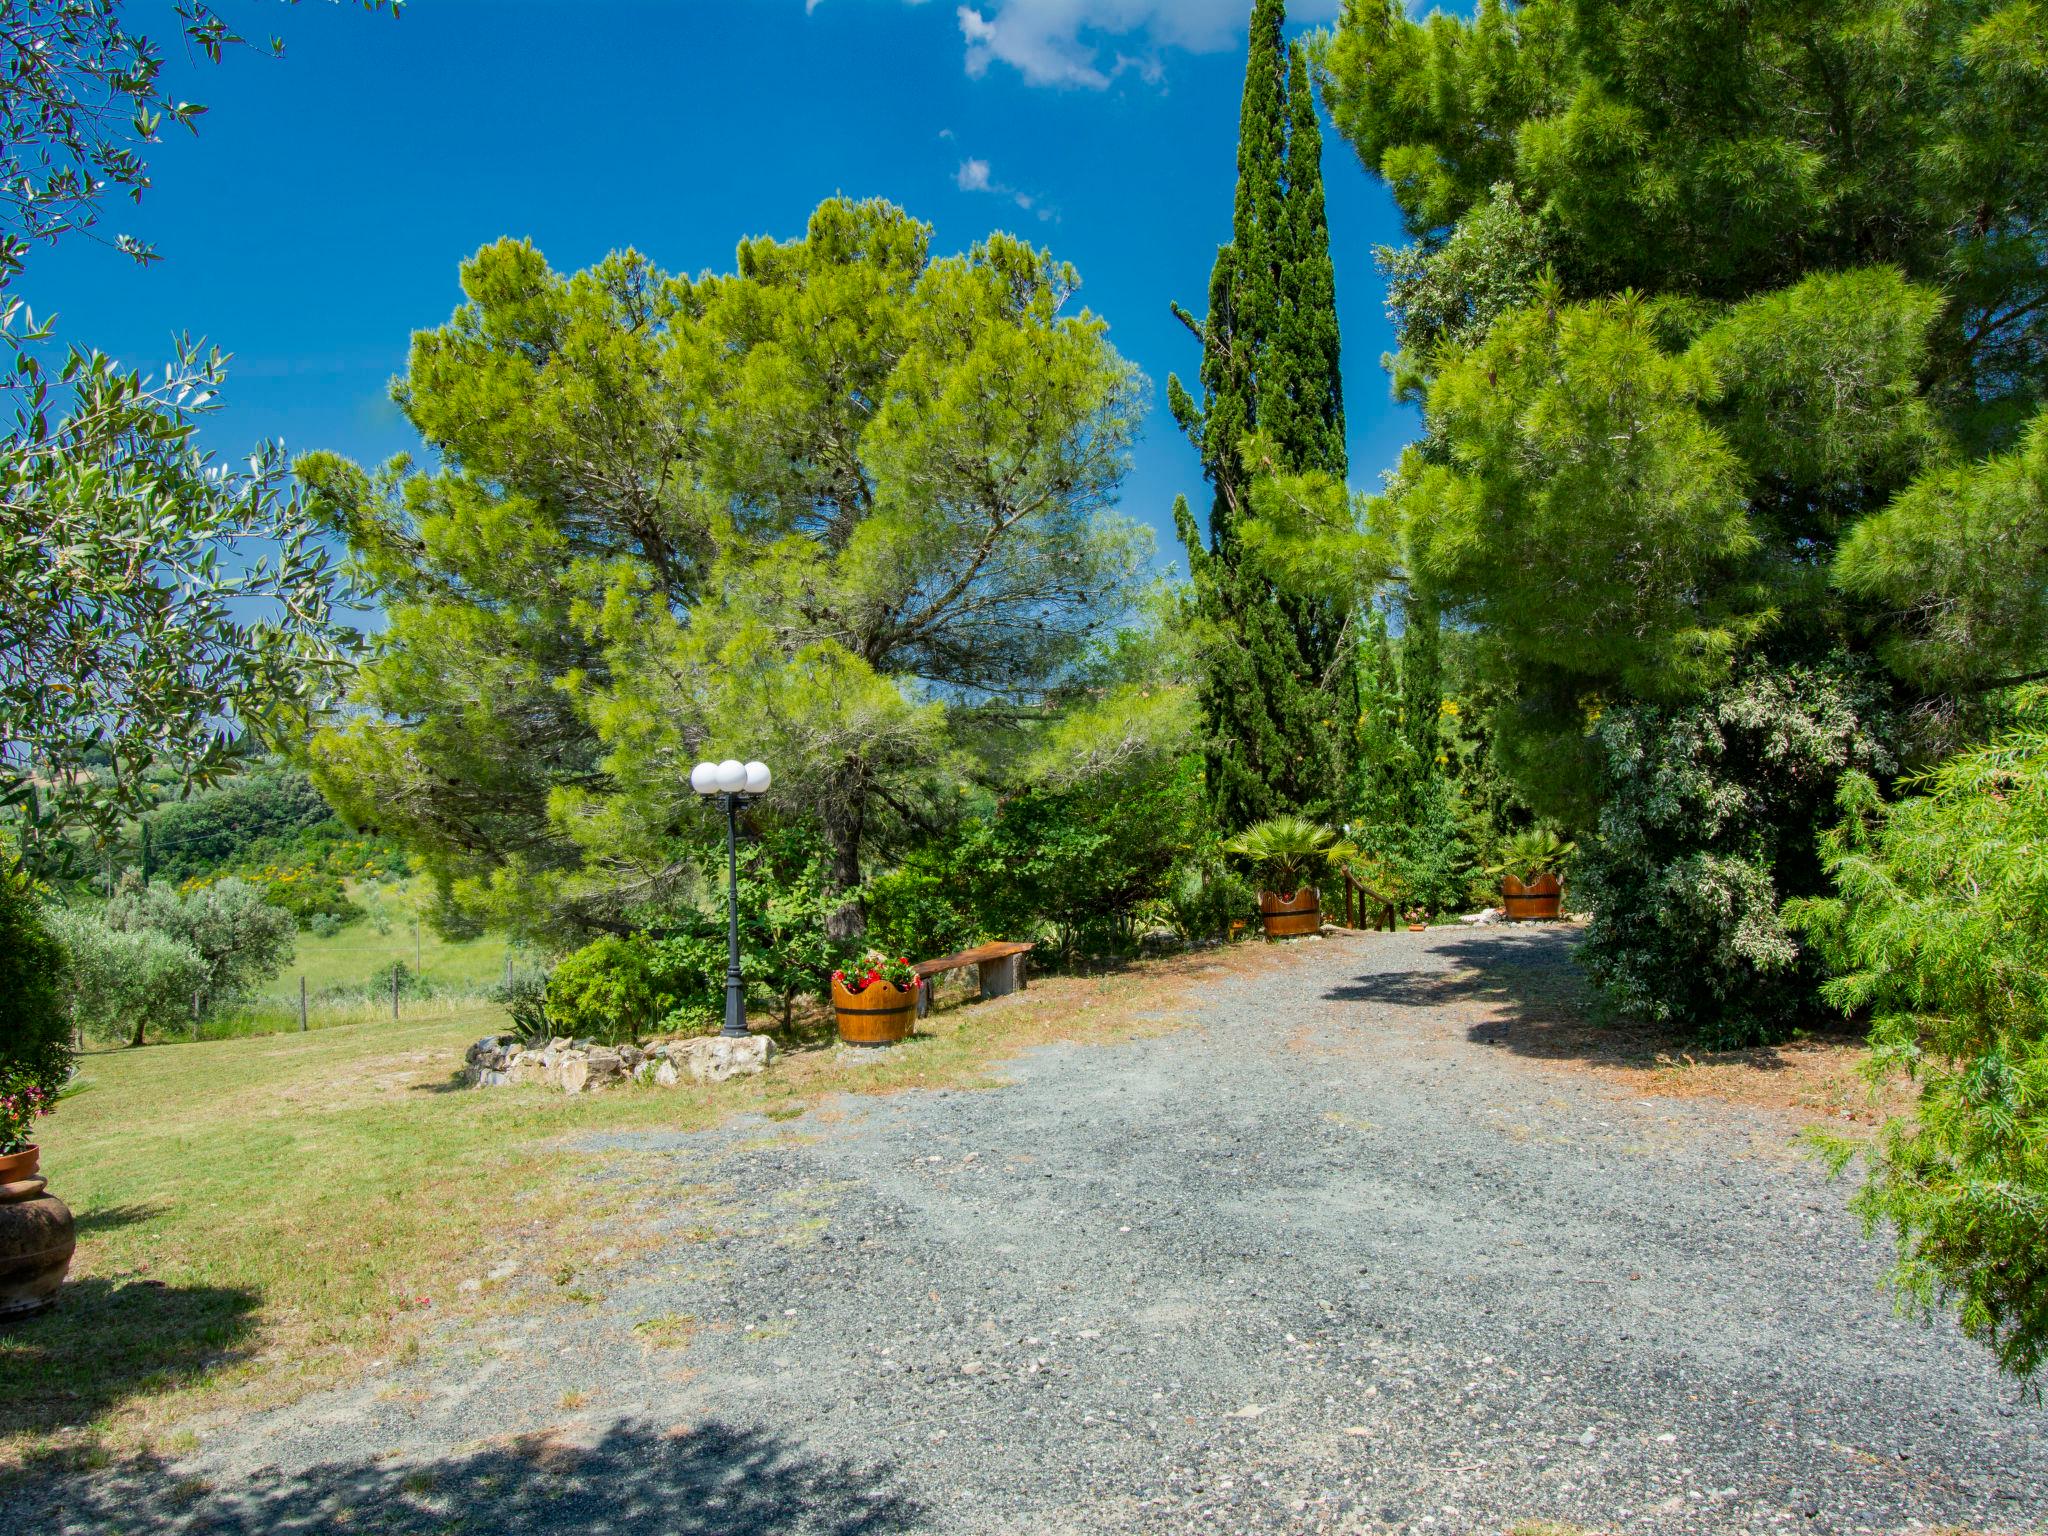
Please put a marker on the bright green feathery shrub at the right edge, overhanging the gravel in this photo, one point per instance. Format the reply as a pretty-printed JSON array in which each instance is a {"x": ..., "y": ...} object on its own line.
[{"x": 1940, "y": 935}]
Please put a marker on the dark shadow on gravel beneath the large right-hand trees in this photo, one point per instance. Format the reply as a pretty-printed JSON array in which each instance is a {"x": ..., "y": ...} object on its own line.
[{"x": 1521, "y": 988}]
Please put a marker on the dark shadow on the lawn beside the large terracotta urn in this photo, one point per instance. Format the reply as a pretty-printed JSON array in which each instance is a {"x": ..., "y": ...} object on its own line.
[{"x": 108, "y": 1340}]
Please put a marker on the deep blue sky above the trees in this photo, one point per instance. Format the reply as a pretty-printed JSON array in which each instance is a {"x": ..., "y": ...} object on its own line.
[{"x": 321, "y": 216}]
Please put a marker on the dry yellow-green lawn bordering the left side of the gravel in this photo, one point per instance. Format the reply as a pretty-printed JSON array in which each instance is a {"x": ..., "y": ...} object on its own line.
[{"x": 261, "y": 1218}]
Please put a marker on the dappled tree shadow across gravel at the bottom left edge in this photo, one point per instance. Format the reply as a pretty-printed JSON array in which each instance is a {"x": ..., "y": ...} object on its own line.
[{"x": 636, "y": 1482}]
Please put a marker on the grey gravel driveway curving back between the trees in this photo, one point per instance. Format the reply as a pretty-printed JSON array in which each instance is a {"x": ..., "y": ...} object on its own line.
[{"x": 1330, "y": 1258}]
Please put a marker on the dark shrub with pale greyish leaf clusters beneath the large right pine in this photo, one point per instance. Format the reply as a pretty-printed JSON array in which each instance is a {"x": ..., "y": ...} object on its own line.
[{"x": 1711, "y": 824}]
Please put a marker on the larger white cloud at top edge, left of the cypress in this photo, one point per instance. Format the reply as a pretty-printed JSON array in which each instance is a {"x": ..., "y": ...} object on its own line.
[{"x": 1064, "y": 42}]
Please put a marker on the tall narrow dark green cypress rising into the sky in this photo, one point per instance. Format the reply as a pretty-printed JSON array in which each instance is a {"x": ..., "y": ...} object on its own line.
[{"x": 1279, "y": 687}]
